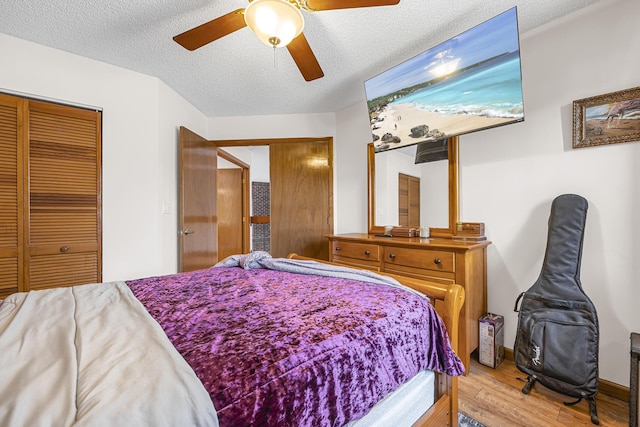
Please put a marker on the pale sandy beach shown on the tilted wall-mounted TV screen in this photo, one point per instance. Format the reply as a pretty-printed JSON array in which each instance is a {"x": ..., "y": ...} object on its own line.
[{"x": 399, "y": 119}]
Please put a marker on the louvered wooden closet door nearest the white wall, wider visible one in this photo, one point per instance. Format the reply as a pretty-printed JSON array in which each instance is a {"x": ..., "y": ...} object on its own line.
[{"x": 64, "y": 186}]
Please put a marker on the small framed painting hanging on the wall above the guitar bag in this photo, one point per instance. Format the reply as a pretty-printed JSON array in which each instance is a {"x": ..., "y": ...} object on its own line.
[{"x": 607, "y": 119}]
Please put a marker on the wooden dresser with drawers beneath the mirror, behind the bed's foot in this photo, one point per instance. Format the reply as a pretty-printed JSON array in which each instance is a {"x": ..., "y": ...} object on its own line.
[{"x": 436, "y": 259}]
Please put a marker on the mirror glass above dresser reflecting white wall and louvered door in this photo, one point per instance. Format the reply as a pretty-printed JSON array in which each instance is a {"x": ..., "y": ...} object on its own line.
[{"x": 425, "y": 191}]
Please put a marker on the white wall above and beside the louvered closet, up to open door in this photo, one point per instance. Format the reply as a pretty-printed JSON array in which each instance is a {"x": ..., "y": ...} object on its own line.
[{"x": 140, "y": 119}]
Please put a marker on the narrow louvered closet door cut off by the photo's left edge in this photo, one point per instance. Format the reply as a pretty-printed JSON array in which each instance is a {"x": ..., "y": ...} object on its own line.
[{"x": 11, "y": 142}]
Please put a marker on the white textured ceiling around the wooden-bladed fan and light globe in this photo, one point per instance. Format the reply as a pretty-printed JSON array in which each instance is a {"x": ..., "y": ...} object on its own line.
[{"x": 238, "y": 75}]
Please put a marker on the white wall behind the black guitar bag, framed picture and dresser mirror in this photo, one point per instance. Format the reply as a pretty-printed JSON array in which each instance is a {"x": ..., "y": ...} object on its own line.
[{"x": 510, "y": 175}]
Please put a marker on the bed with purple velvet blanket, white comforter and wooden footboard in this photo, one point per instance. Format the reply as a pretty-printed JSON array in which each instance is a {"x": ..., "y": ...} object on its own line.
[{"x": 254, "y": 341}]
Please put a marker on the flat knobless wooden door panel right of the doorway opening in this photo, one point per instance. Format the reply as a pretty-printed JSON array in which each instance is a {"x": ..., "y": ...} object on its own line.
[{"x": 301, "y": 198}]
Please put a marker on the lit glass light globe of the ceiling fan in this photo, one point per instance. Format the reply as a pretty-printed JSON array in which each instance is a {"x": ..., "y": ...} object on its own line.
[{"x": 274, "y": 20}]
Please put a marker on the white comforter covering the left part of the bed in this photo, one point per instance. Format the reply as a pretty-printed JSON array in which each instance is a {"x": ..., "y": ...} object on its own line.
[{"x": 92, "y": 356}]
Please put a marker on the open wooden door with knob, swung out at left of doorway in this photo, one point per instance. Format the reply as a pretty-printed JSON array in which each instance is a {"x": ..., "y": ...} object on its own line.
[{"x": 198, "y": 208}]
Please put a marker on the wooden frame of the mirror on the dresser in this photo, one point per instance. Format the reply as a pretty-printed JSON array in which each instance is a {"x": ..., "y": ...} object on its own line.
[{"x": 448, "y": 232}]
